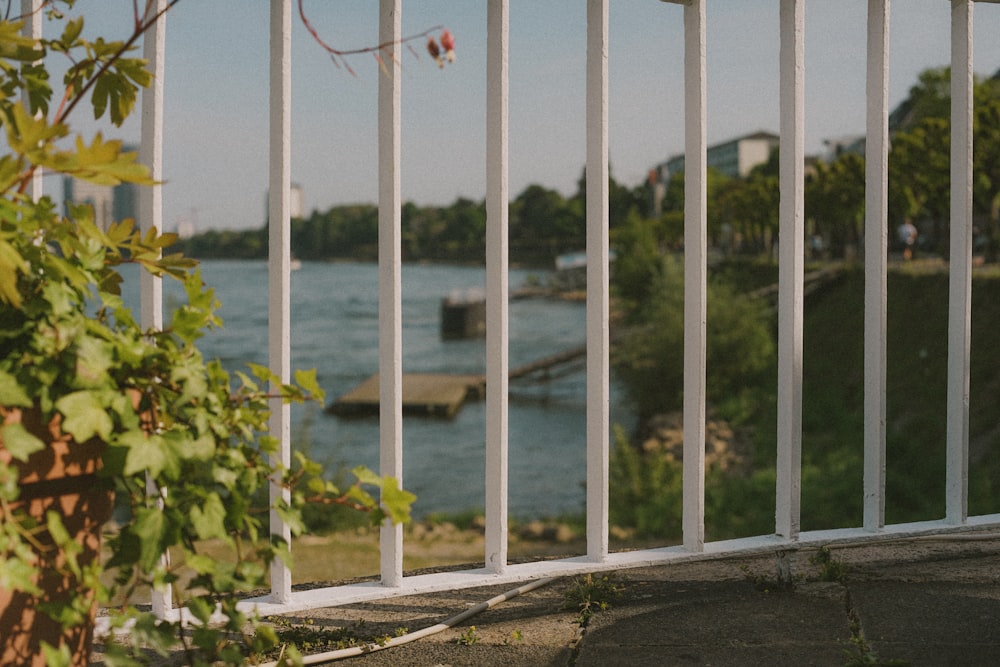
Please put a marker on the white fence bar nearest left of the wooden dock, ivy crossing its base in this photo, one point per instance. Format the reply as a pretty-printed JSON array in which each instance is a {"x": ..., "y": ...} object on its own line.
[{"x": 279, "y": 263}]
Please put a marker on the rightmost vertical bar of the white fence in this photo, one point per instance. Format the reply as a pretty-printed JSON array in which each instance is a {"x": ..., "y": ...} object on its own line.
[{"x": 960, "y": 274}]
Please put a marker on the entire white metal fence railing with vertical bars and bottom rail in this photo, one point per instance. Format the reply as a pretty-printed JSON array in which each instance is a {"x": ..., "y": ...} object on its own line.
[{"x": 790, "y": 318}]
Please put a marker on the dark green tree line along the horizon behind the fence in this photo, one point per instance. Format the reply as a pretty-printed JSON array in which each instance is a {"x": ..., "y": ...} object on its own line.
[{"x": 742, "y": 212}]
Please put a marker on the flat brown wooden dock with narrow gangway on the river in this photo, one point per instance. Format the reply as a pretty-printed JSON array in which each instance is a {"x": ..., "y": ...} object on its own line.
[{"x": 441, "y": 394}]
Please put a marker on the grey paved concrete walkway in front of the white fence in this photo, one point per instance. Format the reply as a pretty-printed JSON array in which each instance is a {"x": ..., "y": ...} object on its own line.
[{"x": 928, "y": 601}]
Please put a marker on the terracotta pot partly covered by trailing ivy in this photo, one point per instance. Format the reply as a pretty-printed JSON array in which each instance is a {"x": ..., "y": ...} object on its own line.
[{"x": 62, "y": 478}]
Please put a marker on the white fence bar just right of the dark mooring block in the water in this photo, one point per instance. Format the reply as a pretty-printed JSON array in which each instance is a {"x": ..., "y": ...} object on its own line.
[{"x": 497, "y": 280}]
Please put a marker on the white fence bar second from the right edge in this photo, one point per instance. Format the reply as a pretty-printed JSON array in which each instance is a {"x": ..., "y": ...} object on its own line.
[{"x": 876, "y": 248}]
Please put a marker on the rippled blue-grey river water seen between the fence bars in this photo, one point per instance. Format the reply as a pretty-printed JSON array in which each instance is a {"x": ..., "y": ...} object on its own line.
[{"x": 335, "y": 330}]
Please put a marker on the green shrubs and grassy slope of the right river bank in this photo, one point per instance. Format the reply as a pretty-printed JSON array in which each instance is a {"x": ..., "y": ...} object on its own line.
[{"x": 646, "y": 467}]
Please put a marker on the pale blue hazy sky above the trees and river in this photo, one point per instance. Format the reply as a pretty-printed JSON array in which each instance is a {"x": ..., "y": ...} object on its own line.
[{"x": 216, "y": 102}]
